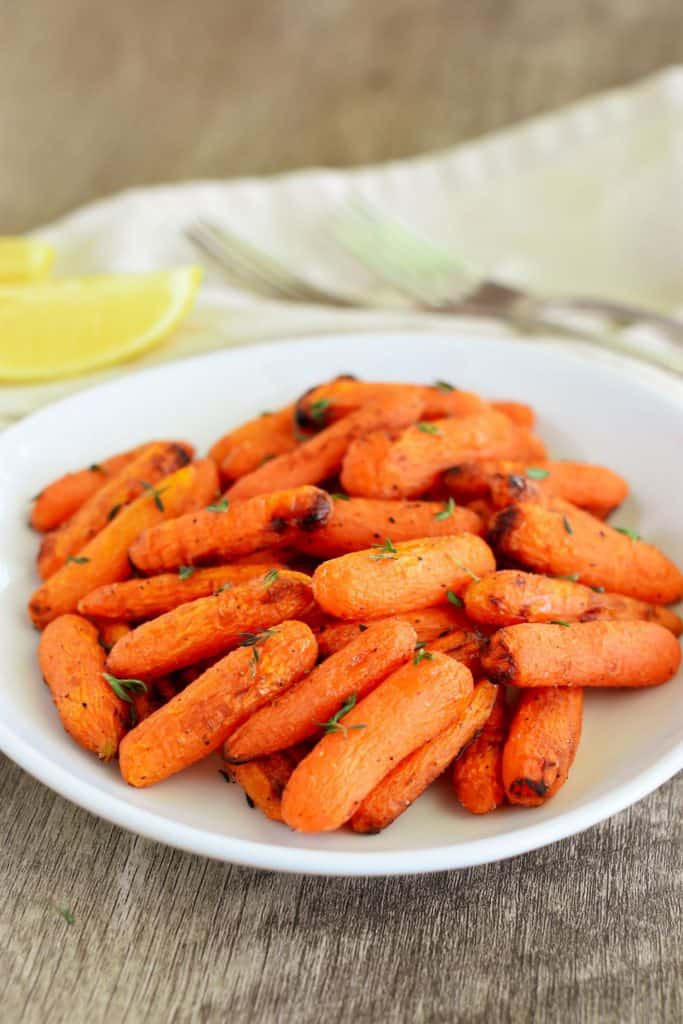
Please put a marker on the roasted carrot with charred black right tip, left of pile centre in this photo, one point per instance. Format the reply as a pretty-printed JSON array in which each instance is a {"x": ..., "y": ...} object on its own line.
[{"x": 263, "y": 522}]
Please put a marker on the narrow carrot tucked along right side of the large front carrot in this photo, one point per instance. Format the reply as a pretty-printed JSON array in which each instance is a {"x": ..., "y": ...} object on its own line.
[{"x": 410, "y": 779}]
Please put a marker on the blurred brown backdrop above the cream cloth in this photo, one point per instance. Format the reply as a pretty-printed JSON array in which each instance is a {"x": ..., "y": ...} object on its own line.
[{"x": 98, "y": 98}]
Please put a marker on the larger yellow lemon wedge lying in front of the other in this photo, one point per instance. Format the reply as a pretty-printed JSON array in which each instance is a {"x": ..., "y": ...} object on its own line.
[{"x": 61, "y": 328}]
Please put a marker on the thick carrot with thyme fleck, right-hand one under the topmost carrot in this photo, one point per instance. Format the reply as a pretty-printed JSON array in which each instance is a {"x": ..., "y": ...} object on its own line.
[{"x": 413, "y": 464}]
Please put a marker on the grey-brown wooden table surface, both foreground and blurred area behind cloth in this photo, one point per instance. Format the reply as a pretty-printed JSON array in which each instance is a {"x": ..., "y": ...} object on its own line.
[{"x": 588, "y": 930}]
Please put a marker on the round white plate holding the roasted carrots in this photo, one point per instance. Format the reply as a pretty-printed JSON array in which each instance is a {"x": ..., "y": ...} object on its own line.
[{"x": 591, "y": 407}]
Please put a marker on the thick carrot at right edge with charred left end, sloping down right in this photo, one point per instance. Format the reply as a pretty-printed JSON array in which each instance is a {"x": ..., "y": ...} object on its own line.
[{"x": 565, "y": 541}]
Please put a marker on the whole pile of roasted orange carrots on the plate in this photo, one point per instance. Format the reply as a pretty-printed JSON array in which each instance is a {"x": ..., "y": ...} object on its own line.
[{"x": 347, "y": 598}]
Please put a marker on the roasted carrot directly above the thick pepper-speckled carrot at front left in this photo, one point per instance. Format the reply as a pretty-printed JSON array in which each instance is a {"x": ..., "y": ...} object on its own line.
[{"x": 209, "y": 626}]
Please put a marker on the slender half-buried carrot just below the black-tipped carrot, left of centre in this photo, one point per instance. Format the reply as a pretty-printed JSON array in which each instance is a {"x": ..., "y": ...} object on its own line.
[{"x": 136, "y": 601}]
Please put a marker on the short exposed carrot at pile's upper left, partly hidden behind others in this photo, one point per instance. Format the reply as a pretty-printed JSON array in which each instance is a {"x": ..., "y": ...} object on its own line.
[{"x": 249, "y": 446}]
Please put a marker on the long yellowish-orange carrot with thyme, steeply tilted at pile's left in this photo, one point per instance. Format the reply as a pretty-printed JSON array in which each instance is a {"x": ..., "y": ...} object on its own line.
[{"x": 105, "y": 560}]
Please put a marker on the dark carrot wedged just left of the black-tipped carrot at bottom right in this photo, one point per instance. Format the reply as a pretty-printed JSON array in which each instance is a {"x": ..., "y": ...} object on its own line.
[{"x": 478, "y": 775}]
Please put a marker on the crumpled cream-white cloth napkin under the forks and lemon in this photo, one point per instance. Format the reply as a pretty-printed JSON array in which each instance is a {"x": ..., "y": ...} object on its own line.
[{"x": 585, "y": 201}]
